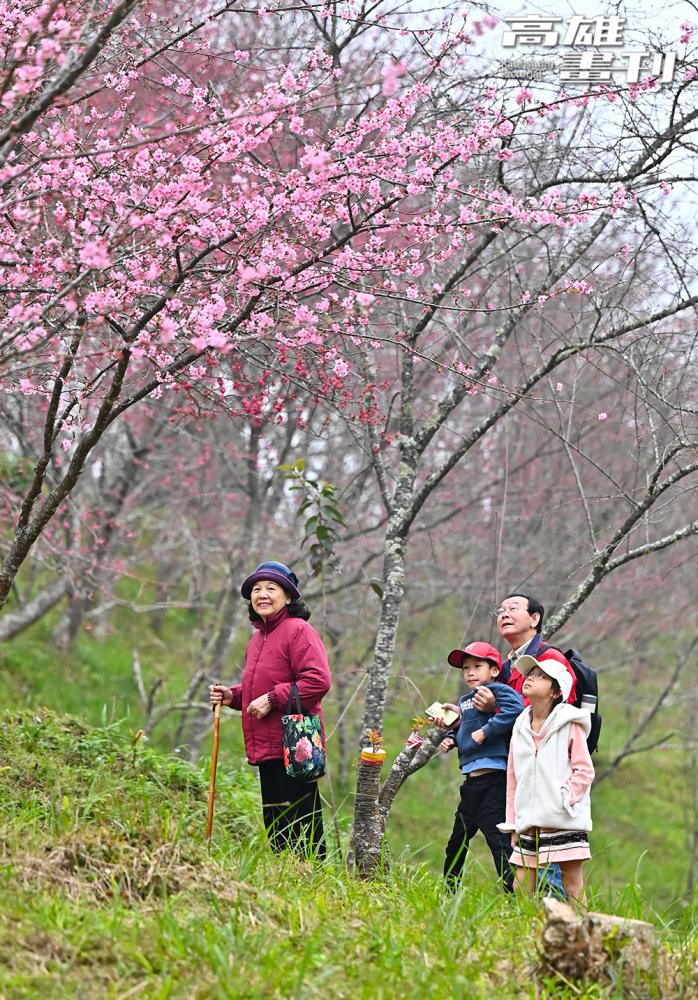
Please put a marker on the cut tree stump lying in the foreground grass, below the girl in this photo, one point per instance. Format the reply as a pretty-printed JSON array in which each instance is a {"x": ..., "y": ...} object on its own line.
[{"x": 598, "y": 946}]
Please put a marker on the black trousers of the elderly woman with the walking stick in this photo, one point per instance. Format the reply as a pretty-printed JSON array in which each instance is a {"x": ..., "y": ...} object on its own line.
[{"x": 292, "y": 811}]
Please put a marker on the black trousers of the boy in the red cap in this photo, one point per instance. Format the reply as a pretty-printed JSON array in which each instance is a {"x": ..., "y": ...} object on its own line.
[{"x": 482, "y": 805}]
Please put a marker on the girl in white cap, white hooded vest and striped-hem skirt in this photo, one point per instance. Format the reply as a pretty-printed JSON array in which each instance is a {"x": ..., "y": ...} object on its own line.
[{"x": 549, "y": 777}]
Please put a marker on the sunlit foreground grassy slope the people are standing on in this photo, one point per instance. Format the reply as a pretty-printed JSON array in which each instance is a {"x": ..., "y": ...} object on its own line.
[{"x": 107, "y": 891}]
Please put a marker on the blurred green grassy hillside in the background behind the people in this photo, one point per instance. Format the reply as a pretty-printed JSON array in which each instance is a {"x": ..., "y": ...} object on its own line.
[{"x": 639, "y": 837}]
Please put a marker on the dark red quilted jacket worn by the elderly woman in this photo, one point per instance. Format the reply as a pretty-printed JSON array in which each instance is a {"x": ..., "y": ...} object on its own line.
[{"x": 282, "y": 651}]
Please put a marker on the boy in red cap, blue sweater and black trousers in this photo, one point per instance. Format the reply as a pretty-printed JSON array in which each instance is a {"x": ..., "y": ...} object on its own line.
[{"x": 482, "y": 739}]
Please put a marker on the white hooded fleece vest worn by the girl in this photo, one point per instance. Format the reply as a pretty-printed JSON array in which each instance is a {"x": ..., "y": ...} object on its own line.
[{"x": 542, "y": 798}]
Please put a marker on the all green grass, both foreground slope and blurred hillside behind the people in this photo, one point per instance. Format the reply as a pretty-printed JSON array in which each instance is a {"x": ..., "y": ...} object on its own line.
[{"x": 106, "y": 889}]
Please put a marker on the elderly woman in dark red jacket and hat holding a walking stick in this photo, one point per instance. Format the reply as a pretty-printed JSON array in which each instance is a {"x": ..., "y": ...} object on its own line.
[{"x": 284, "y": 650}]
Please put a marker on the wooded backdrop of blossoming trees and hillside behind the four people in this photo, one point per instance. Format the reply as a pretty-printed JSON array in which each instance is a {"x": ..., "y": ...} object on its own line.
[{"x": 323, "y": 283}]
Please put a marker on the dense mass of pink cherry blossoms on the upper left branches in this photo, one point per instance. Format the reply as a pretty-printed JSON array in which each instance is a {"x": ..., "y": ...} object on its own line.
[{"x": 180, "y": 221}]
